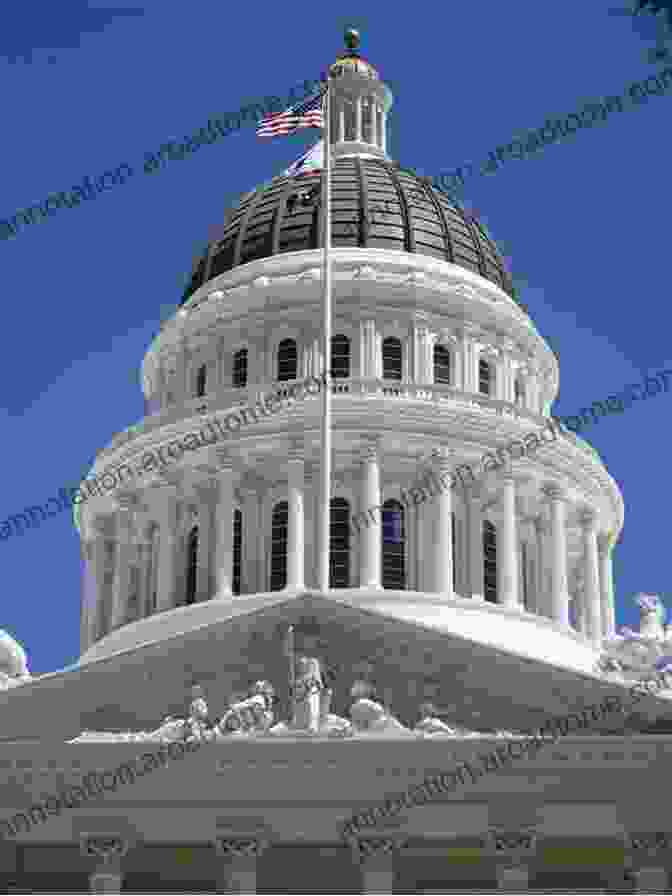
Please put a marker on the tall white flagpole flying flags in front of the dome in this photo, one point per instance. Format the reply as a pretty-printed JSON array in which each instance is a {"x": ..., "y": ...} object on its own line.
[{"x": 324, "y": 525}]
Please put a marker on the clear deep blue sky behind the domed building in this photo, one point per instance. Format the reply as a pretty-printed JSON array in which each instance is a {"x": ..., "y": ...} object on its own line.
[{"x": 584, "y": 223}]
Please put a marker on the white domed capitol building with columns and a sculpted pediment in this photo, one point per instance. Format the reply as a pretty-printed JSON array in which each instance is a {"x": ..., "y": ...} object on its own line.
[{"x": 469, "y": 598}]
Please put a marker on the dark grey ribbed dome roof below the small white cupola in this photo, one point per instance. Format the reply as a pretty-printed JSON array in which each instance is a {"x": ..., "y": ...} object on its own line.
[{"x": 374, "y": 204}]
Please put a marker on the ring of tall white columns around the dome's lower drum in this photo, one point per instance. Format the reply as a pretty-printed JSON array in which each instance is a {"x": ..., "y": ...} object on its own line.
[{"x": 133, "y": 579}]
